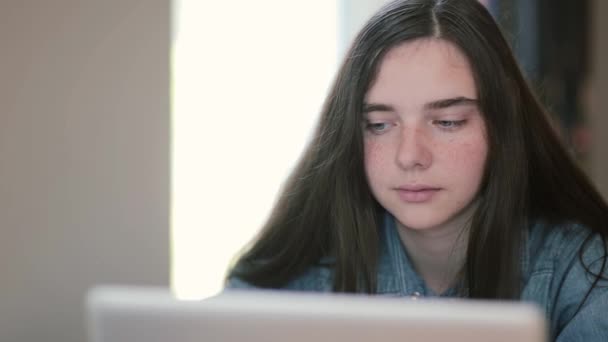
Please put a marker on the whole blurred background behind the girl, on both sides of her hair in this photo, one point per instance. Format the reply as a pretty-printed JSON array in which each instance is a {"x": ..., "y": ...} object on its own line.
[{"x": 143, "y": 141}]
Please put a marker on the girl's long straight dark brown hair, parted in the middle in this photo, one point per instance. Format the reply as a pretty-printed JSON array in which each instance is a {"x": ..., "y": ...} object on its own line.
[{"x": 326, "y": 209}]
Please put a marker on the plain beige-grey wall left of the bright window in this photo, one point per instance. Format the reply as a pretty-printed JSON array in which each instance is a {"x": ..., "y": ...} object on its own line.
[{"x": 84, "y": 125}]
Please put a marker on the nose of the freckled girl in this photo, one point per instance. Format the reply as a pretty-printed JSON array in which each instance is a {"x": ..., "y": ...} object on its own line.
[{"x": 414, "y": 150}]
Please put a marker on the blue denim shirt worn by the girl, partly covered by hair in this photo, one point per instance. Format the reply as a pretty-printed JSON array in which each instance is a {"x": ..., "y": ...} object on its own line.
[{"x": 553, "y": 278}]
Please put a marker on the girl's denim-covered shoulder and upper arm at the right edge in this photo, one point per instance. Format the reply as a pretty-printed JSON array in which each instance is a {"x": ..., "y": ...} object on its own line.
[{"x": 564, "y": 263}]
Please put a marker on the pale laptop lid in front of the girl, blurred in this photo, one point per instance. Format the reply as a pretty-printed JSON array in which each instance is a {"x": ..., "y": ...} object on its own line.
[{"x": 128, "y": 314}]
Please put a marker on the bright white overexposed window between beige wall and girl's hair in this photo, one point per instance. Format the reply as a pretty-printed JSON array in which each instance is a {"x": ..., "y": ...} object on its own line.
[{"x": 248, "y": 80}]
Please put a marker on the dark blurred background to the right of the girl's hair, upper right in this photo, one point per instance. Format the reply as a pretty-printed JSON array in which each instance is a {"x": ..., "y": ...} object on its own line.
[{"x": 554, "y": 43}]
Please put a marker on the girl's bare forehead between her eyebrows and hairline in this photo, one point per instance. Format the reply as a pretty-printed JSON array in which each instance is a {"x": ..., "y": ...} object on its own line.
[{"x": 422, "y": 70}]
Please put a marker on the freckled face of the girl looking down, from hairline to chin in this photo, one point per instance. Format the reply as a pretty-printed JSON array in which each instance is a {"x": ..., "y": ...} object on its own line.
[{"x": 425, "y": 143}]
